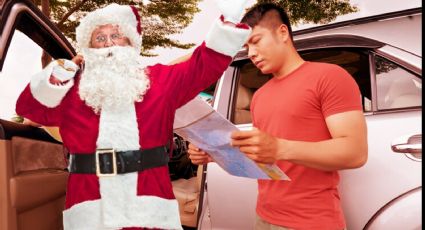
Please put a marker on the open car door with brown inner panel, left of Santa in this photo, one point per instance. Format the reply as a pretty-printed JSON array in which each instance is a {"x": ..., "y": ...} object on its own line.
[{"x": 33, "y": 165}]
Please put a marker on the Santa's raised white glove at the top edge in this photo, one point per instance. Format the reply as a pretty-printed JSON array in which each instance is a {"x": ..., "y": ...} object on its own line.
[{"x": 232, "y": 10}]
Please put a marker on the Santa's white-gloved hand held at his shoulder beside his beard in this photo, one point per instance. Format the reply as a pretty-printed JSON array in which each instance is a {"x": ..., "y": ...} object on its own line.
[{"x": 64, "y": 70}]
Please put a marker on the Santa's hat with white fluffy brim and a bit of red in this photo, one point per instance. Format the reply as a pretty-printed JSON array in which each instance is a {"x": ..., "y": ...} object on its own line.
[{"x": 125, "y": 16}]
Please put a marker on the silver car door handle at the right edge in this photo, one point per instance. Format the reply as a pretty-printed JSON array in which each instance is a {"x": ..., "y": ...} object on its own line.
[{"x": 411, "y": 145}]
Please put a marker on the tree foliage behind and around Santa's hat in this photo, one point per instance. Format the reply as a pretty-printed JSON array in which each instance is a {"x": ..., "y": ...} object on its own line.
[{"x": 160, "y": 18}]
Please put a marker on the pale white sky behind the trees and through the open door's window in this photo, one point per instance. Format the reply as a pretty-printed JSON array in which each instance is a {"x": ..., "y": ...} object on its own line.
[{"x": 10, "y": 87}]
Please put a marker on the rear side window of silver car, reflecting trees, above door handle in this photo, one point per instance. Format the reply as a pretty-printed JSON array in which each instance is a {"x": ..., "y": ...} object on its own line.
[{"x": 395, "y": 86}]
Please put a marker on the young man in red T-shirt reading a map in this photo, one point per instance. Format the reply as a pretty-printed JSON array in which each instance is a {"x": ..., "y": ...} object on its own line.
[{"x": 314, "y": 128}]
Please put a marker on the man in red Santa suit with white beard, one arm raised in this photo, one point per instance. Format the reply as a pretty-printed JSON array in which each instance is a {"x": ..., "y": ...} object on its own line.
[{"x": 116, "y": 117}]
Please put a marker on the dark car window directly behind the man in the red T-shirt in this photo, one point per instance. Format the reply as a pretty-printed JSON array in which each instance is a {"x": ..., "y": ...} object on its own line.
[{"x": 355, "y": 61}]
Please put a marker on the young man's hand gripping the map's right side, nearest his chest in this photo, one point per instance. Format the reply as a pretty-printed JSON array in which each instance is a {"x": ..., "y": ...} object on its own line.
[{"x": 257, "y": 145}]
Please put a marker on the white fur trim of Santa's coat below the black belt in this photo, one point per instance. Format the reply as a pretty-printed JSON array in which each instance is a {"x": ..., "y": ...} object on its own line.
[{"x": 122, "y": 208}]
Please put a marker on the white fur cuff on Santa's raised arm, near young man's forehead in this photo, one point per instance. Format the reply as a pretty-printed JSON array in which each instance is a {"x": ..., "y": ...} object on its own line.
[{"x": 226, "y": 39}]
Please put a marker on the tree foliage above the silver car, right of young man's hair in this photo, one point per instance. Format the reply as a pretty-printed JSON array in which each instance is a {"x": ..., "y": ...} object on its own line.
[{"x": 316, "y": 11}]
